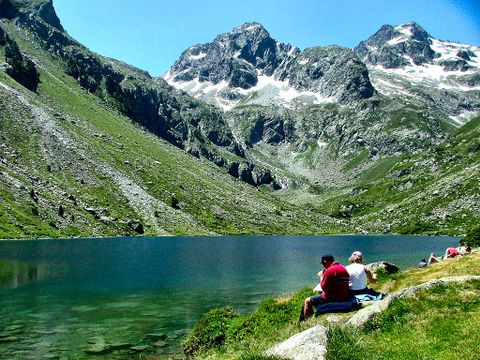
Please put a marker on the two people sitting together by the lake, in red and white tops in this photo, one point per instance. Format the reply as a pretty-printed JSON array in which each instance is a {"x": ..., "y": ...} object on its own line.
[{"x": 338, "y": 283}]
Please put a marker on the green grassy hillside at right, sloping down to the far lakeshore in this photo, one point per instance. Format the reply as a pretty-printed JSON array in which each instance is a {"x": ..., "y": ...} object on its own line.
[{"x": 434, "y": 191}]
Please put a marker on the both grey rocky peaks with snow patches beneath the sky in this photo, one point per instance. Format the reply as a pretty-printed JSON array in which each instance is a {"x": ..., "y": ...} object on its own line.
[{"x": 248, "y": 67}]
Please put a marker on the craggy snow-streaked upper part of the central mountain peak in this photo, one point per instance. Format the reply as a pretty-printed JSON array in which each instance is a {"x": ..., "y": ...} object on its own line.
[{"x": 247, "y": 66}]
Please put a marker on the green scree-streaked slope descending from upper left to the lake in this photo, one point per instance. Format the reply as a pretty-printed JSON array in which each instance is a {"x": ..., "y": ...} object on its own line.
[{"x": 73, "y": 165}]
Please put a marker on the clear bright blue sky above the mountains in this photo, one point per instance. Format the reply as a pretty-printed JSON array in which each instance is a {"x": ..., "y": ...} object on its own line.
[{"x": 151, "y": 34}]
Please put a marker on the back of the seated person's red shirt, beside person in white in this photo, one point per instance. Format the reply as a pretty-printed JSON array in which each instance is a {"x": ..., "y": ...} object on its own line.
[{"x": 335, "y": 283}]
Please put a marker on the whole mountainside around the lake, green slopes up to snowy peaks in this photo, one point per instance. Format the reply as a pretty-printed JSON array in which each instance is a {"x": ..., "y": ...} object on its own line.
[{"x": 98, "y": 147}]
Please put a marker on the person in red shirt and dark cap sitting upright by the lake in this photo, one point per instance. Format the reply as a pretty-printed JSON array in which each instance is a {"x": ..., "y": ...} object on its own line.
[{"x": 335, "y": 286}]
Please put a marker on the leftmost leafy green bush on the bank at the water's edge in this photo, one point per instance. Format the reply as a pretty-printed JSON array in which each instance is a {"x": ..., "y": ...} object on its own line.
[{"x": 210, "y": 331}]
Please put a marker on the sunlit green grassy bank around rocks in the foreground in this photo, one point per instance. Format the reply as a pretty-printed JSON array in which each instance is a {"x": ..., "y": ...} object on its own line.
[{"x": 439, "y": 323}]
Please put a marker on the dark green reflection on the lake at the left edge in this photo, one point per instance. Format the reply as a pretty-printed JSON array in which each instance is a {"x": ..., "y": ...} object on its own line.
[{"x": 15, "y": 273}]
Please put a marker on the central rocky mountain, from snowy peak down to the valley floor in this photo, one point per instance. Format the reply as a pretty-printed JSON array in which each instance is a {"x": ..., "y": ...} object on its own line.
[{"x": 312, "y": 117}]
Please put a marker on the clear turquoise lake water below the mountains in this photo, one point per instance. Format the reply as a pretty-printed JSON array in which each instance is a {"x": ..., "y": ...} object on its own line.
[{"x": 61, "y": 298}]
